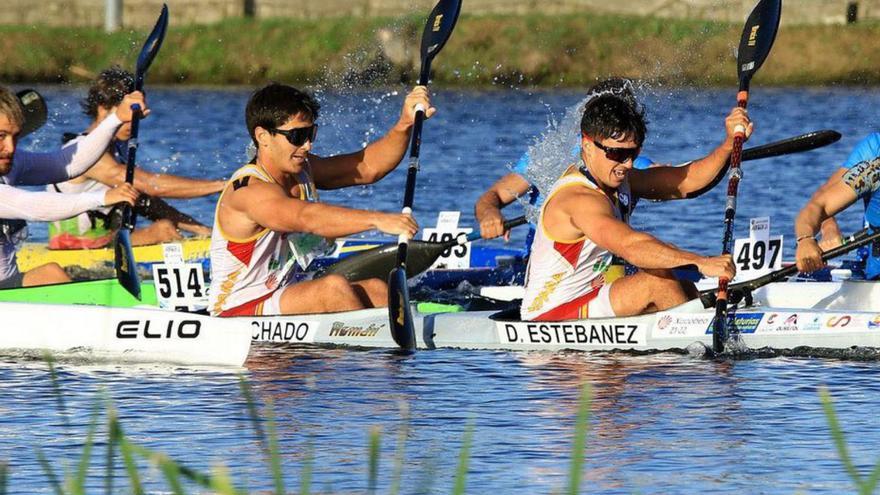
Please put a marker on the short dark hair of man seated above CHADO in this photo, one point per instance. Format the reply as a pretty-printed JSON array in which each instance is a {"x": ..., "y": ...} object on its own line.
[{"x": 273, "y": 105}]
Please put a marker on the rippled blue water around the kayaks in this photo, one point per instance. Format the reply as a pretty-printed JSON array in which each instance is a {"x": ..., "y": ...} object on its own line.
[{"x": 660, "y": 424}]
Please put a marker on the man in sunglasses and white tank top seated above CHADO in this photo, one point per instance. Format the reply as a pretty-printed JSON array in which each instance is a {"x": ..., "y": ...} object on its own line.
[{"x": 269, "y": 224}]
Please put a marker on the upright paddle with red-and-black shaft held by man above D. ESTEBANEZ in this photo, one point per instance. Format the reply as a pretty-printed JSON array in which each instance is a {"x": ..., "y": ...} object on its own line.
[{"x": 757, "y": 38}]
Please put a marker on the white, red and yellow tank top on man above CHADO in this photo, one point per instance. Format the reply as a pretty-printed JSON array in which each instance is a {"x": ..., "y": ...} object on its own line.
[{"x": 243, "y": 270}]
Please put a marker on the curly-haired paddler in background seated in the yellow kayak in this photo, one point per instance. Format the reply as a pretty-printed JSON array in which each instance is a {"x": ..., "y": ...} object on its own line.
[{"x": 95, "y": 228}]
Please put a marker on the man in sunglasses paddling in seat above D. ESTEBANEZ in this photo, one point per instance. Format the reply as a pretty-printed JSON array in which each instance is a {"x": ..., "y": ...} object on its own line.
[{"x": 583, "y": 223}]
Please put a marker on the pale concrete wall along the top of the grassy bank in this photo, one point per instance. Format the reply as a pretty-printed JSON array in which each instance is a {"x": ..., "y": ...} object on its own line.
[{"x": 142, "y": 13}]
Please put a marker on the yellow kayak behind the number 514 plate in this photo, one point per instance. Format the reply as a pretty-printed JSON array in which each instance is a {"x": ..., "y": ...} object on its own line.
[{"x": 33, "y": 254}]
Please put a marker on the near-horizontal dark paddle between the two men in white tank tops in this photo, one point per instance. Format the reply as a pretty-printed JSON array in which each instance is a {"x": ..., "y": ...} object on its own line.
[{"x": 376, "y": 262}]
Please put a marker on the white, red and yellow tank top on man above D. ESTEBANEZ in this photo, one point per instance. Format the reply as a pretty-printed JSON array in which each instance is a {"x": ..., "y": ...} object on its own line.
[{"x": 561, "y": 271}]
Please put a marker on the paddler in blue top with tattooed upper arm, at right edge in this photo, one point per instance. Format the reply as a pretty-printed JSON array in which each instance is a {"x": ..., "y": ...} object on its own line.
[{"x": 858, "y": 178}]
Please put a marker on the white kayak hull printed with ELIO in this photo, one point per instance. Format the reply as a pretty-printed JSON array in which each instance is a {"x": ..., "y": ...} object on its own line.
[{"x": 122, "y": 334}]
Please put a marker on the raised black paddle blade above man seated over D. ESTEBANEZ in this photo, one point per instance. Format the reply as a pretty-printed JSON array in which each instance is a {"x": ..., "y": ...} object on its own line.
[{"x": 757, "y": 39}]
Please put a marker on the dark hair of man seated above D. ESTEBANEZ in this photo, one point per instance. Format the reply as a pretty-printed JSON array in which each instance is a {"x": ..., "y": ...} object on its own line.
[{"x": 609, "y": 116}]
